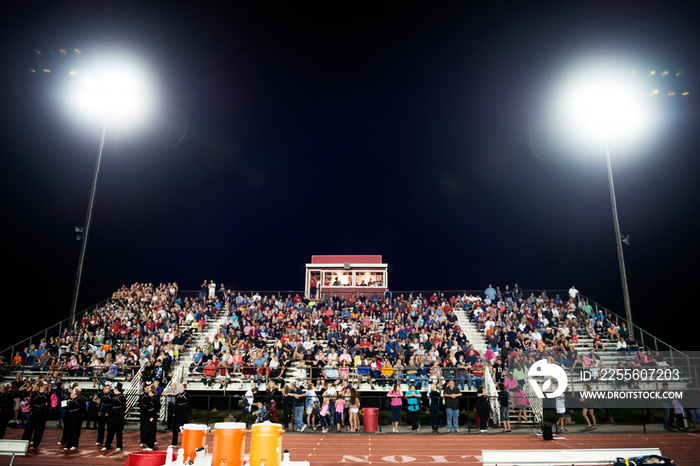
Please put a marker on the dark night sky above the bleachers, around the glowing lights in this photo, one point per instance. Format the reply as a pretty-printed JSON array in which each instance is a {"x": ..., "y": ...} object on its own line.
[{"x": 418, "y": 131}]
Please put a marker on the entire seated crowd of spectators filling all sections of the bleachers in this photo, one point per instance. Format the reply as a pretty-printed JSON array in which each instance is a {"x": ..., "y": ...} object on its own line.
[{"x": 411, "y": 339}]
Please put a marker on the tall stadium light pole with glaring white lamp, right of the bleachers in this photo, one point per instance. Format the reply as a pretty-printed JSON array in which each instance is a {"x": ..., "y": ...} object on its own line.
[{"x": 604, "y": 107}]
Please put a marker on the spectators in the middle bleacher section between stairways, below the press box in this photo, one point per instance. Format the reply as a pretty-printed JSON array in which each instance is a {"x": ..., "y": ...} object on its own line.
[{"x": 378, "y": 341}]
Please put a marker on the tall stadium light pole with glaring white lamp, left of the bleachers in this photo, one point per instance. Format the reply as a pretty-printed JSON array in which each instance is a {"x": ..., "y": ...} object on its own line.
[{"x": 115, "y": 94}]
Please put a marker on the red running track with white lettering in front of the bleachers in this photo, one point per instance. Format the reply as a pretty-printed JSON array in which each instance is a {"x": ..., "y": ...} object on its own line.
[{"x": 380, "y": 449}]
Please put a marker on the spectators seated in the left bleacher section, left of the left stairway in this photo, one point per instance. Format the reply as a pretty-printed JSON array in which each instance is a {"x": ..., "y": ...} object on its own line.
[{"x": 139, "y": 326}]
